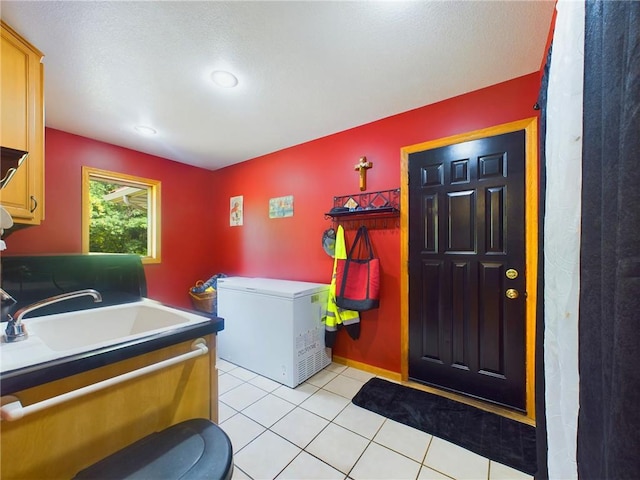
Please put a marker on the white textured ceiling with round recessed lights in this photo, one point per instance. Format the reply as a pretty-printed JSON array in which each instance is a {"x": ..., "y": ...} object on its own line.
[{"x": 306, "y": 69}]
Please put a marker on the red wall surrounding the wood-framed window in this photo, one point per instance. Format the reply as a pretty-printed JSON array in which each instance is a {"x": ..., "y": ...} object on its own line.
[{"x": 187, "y": 232}]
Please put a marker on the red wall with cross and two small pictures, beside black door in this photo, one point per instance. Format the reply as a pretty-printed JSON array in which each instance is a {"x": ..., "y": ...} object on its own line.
[{"x": 316, "y": 171}]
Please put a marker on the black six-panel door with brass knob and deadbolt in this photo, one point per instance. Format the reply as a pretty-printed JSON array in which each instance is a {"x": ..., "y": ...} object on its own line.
[{"x": 466, "y": 268}]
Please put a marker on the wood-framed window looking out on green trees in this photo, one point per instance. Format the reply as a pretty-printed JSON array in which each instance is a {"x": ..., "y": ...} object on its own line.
[{"x": 120, "y": 214}]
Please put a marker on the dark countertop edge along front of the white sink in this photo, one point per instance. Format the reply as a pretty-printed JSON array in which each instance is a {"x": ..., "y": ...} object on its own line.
[{"x": 12, "y": 381}]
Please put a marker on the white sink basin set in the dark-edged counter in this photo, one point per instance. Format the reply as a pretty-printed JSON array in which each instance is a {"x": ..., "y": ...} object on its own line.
[{"x": 56, "y": 336}]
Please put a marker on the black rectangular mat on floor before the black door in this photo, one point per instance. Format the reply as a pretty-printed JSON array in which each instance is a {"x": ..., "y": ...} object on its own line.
[{"x": 497, "y": 438}]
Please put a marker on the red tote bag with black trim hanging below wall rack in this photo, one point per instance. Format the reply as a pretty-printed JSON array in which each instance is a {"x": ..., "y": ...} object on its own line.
[{"x": 358, "y": 279}]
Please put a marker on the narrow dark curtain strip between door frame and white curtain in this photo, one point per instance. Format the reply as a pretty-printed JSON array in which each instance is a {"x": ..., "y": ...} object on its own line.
[{"x": 541, "y": 420}]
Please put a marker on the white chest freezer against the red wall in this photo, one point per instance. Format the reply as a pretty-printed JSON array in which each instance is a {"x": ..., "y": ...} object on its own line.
[{"x": 273, "y": 327}]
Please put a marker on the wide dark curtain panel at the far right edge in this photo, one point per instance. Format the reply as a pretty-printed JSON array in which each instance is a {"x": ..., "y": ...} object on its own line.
[{"x": 609, "y": 417}]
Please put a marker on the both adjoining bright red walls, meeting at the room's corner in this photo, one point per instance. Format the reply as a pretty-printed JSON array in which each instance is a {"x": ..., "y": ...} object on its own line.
[{"x": 197, "y": 240}]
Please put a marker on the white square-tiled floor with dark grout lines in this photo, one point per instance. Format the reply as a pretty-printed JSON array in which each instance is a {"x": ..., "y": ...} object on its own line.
[{"x": 315, "y": 432}]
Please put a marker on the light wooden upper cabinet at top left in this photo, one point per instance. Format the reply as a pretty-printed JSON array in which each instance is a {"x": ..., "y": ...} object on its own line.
[{"x": 22, "y": 127}]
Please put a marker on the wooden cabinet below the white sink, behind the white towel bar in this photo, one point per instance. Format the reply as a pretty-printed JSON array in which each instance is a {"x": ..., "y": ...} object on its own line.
[{"x": 60, "y": 441}]
